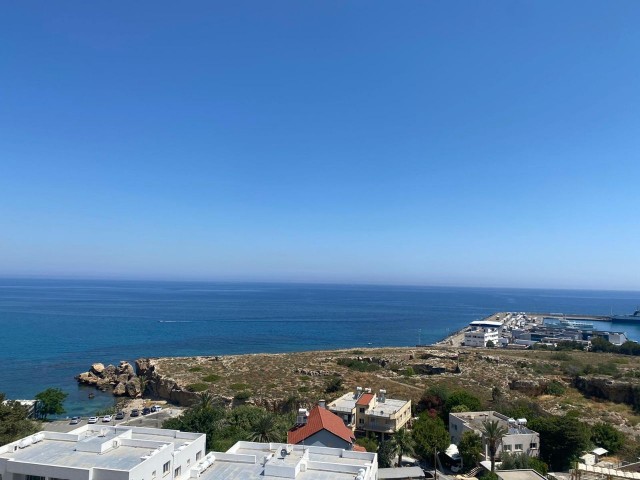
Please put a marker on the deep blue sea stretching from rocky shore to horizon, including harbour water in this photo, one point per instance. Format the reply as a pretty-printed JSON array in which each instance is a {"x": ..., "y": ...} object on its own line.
[{"x": 52, "y": 330}]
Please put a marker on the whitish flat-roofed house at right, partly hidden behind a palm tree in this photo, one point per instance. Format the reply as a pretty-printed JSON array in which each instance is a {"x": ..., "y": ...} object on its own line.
[{"x": 519, "y": 439}]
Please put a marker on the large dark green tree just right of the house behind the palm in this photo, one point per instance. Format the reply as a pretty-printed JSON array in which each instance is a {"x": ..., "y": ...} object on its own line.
[{"x": 562, "y": 439}]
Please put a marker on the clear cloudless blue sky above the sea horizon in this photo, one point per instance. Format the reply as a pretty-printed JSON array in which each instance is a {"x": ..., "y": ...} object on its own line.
[{"x": 463, "y": 143}]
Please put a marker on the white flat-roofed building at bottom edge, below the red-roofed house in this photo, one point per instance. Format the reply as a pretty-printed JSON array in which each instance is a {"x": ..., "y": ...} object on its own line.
[{"x": 277, "y": 461}]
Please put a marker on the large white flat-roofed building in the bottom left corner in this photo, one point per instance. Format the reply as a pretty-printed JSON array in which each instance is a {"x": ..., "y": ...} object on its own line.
[{"x": 94, "y": 452}]
